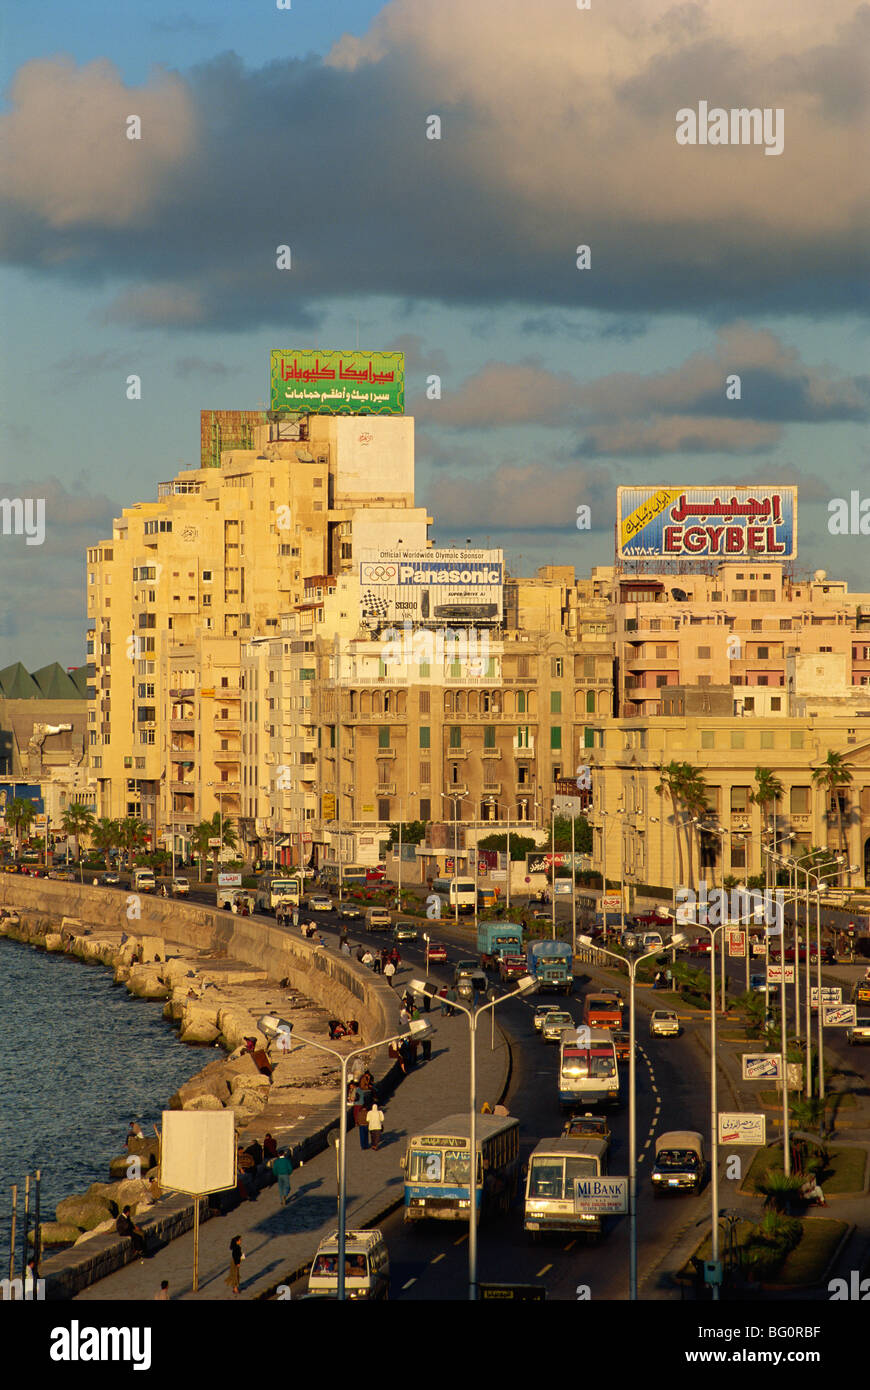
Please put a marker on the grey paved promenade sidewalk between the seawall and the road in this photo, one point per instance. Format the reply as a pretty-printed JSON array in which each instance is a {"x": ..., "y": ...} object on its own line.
[{"x": 280, "y": 1242}]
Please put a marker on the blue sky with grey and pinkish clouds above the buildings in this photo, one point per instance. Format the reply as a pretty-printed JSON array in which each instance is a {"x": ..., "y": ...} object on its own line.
[{"x": 308, "y": 127}]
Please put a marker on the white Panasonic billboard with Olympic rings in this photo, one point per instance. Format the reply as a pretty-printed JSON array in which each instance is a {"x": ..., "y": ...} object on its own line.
[{"x": 454, "y": 587}]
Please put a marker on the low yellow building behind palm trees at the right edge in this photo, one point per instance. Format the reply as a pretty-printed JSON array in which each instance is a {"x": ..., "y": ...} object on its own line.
[{"x": 634, "y": 826}]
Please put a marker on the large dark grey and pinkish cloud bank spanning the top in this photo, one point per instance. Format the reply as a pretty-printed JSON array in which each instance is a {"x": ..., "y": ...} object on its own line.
[{"x": 558, "y": 130}]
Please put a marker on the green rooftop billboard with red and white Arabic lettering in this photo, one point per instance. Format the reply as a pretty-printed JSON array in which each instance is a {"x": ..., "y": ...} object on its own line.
[{"x": 329, "y": 383}]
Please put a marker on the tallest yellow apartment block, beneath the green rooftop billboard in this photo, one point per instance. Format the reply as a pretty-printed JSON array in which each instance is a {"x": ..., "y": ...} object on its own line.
[{"x": 188, "y": 579}]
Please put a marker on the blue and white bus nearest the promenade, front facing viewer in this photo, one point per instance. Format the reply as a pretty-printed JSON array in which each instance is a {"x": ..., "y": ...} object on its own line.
[{"x": 437, "y": 1168}]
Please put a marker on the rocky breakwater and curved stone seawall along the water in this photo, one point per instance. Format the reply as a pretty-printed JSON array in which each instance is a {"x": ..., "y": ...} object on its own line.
[{"x": 213, "y": 1000}]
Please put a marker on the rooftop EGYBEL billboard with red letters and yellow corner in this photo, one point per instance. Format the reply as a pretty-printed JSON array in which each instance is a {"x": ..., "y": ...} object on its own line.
[{"x": 758, "y": 523}]
